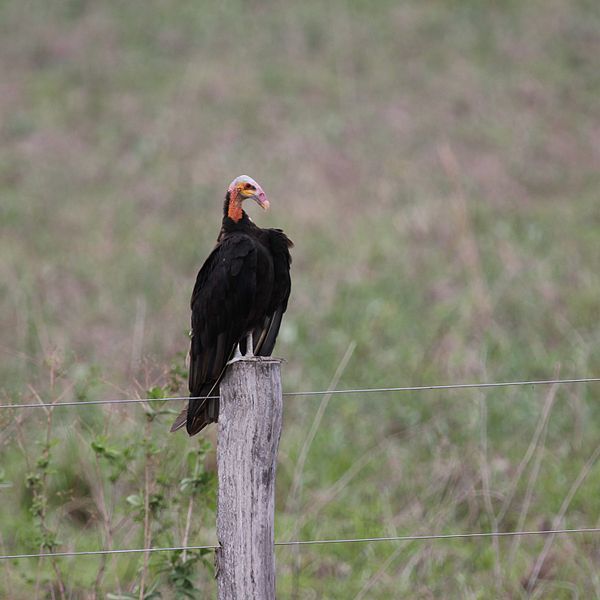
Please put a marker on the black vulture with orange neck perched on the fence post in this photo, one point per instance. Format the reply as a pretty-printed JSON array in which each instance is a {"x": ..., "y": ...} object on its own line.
[{"x": 238, "y": 301}]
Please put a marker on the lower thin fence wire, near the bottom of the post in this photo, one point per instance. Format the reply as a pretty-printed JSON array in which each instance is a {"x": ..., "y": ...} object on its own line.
[{"x": 399, "y": 538}]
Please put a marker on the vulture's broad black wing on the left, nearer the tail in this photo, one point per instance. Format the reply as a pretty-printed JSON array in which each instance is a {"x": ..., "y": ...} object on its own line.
[{"x": 221, "y": 301}]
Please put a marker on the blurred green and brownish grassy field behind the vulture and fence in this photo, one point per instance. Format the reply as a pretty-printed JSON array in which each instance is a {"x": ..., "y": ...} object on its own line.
[{"x": 437, "y": 165}]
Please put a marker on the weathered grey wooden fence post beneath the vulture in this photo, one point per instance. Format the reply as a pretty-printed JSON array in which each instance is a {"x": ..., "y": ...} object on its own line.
[{"x": 250, "y": 415}]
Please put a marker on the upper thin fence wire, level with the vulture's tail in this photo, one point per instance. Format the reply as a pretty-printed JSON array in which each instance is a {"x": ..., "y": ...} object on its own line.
[{"x": 416, "y": 388}]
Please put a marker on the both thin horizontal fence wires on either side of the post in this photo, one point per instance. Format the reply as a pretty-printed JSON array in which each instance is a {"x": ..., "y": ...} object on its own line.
[{"x": 405, "y": 538}]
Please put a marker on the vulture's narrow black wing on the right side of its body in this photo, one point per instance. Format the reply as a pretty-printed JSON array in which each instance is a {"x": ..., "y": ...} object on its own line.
[{"x": 266, "y": 335}]
